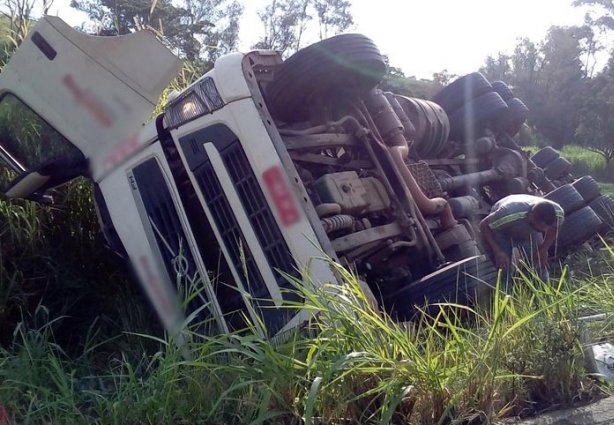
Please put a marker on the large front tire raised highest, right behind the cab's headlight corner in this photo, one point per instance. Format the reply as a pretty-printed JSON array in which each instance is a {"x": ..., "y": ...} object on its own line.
[{"x": 344, "y": 63}]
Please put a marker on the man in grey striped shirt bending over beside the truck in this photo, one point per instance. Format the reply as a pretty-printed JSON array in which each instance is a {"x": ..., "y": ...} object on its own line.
[{"x": 527, "y": 222}]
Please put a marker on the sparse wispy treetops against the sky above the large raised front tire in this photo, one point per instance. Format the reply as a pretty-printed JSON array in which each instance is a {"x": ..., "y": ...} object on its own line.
[{"x": 287, "y": 21}]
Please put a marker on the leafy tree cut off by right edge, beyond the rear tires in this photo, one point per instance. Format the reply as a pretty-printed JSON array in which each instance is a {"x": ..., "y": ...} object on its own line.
[{"x": 595, "y": 130}]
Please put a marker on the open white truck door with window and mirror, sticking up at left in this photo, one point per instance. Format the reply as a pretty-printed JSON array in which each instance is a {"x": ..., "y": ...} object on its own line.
[{"x": 68, "y": 100}]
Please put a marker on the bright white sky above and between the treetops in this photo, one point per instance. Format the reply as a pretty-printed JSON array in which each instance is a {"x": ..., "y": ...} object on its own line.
[{"x": 426, "y": 36}]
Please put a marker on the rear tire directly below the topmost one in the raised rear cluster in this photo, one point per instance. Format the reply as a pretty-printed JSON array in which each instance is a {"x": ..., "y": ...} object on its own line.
[{"x": 467, "y": 121}]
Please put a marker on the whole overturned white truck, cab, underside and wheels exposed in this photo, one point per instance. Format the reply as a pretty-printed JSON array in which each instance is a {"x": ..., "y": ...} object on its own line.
[{"x": 263, "y": 167}]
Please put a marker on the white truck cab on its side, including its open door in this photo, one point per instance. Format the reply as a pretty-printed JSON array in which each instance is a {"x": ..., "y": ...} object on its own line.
[{"x": 88, "y": 98}]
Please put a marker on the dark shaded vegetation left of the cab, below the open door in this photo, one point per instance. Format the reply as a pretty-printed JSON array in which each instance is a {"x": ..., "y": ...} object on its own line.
[{"x": 55, "y": 256}]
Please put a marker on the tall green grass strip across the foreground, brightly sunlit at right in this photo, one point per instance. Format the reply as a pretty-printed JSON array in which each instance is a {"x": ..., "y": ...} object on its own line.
[{"x": 350, "y": 364}]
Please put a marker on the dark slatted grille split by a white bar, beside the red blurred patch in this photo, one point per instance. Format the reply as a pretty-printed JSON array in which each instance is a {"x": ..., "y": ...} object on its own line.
[{"x": 257, "y": 210}]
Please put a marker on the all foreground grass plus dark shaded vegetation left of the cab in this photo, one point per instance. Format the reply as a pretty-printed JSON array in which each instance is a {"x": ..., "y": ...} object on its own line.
[{"x": 92, "y": 355}]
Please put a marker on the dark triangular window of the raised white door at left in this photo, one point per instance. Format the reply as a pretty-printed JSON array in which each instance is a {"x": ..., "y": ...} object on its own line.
[{"x": 27, "y": 141}]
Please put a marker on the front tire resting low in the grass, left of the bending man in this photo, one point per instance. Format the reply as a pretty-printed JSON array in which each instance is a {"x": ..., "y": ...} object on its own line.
[{"x": 463, "y": 282}]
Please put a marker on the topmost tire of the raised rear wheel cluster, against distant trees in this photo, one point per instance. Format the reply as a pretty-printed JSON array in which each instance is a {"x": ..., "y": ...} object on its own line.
[{"x": 461, "y": 91}]
